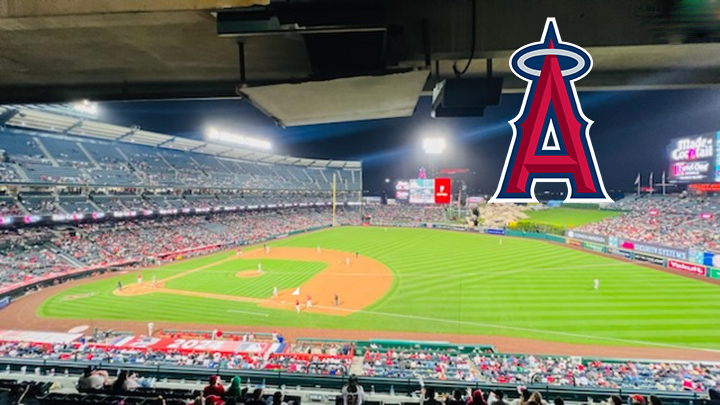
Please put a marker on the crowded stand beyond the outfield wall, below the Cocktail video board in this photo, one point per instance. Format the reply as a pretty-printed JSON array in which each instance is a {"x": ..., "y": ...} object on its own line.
[{"x": 674, "y": 221}]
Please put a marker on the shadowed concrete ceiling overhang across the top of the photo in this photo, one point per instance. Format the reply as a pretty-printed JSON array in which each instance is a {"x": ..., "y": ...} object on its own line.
[{"x": 138, "y": 49}]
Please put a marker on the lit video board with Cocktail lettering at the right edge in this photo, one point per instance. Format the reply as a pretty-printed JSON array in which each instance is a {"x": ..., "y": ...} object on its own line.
[{"x": 695, "y": 159}]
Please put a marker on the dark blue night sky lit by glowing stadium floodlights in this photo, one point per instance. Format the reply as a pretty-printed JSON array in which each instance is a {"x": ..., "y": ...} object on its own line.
[{"x": 630, "y": 133}]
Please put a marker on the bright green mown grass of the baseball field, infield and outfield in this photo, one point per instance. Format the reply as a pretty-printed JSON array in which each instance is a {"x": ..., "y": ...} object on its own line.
[{"x": 445, "y": 282}]
